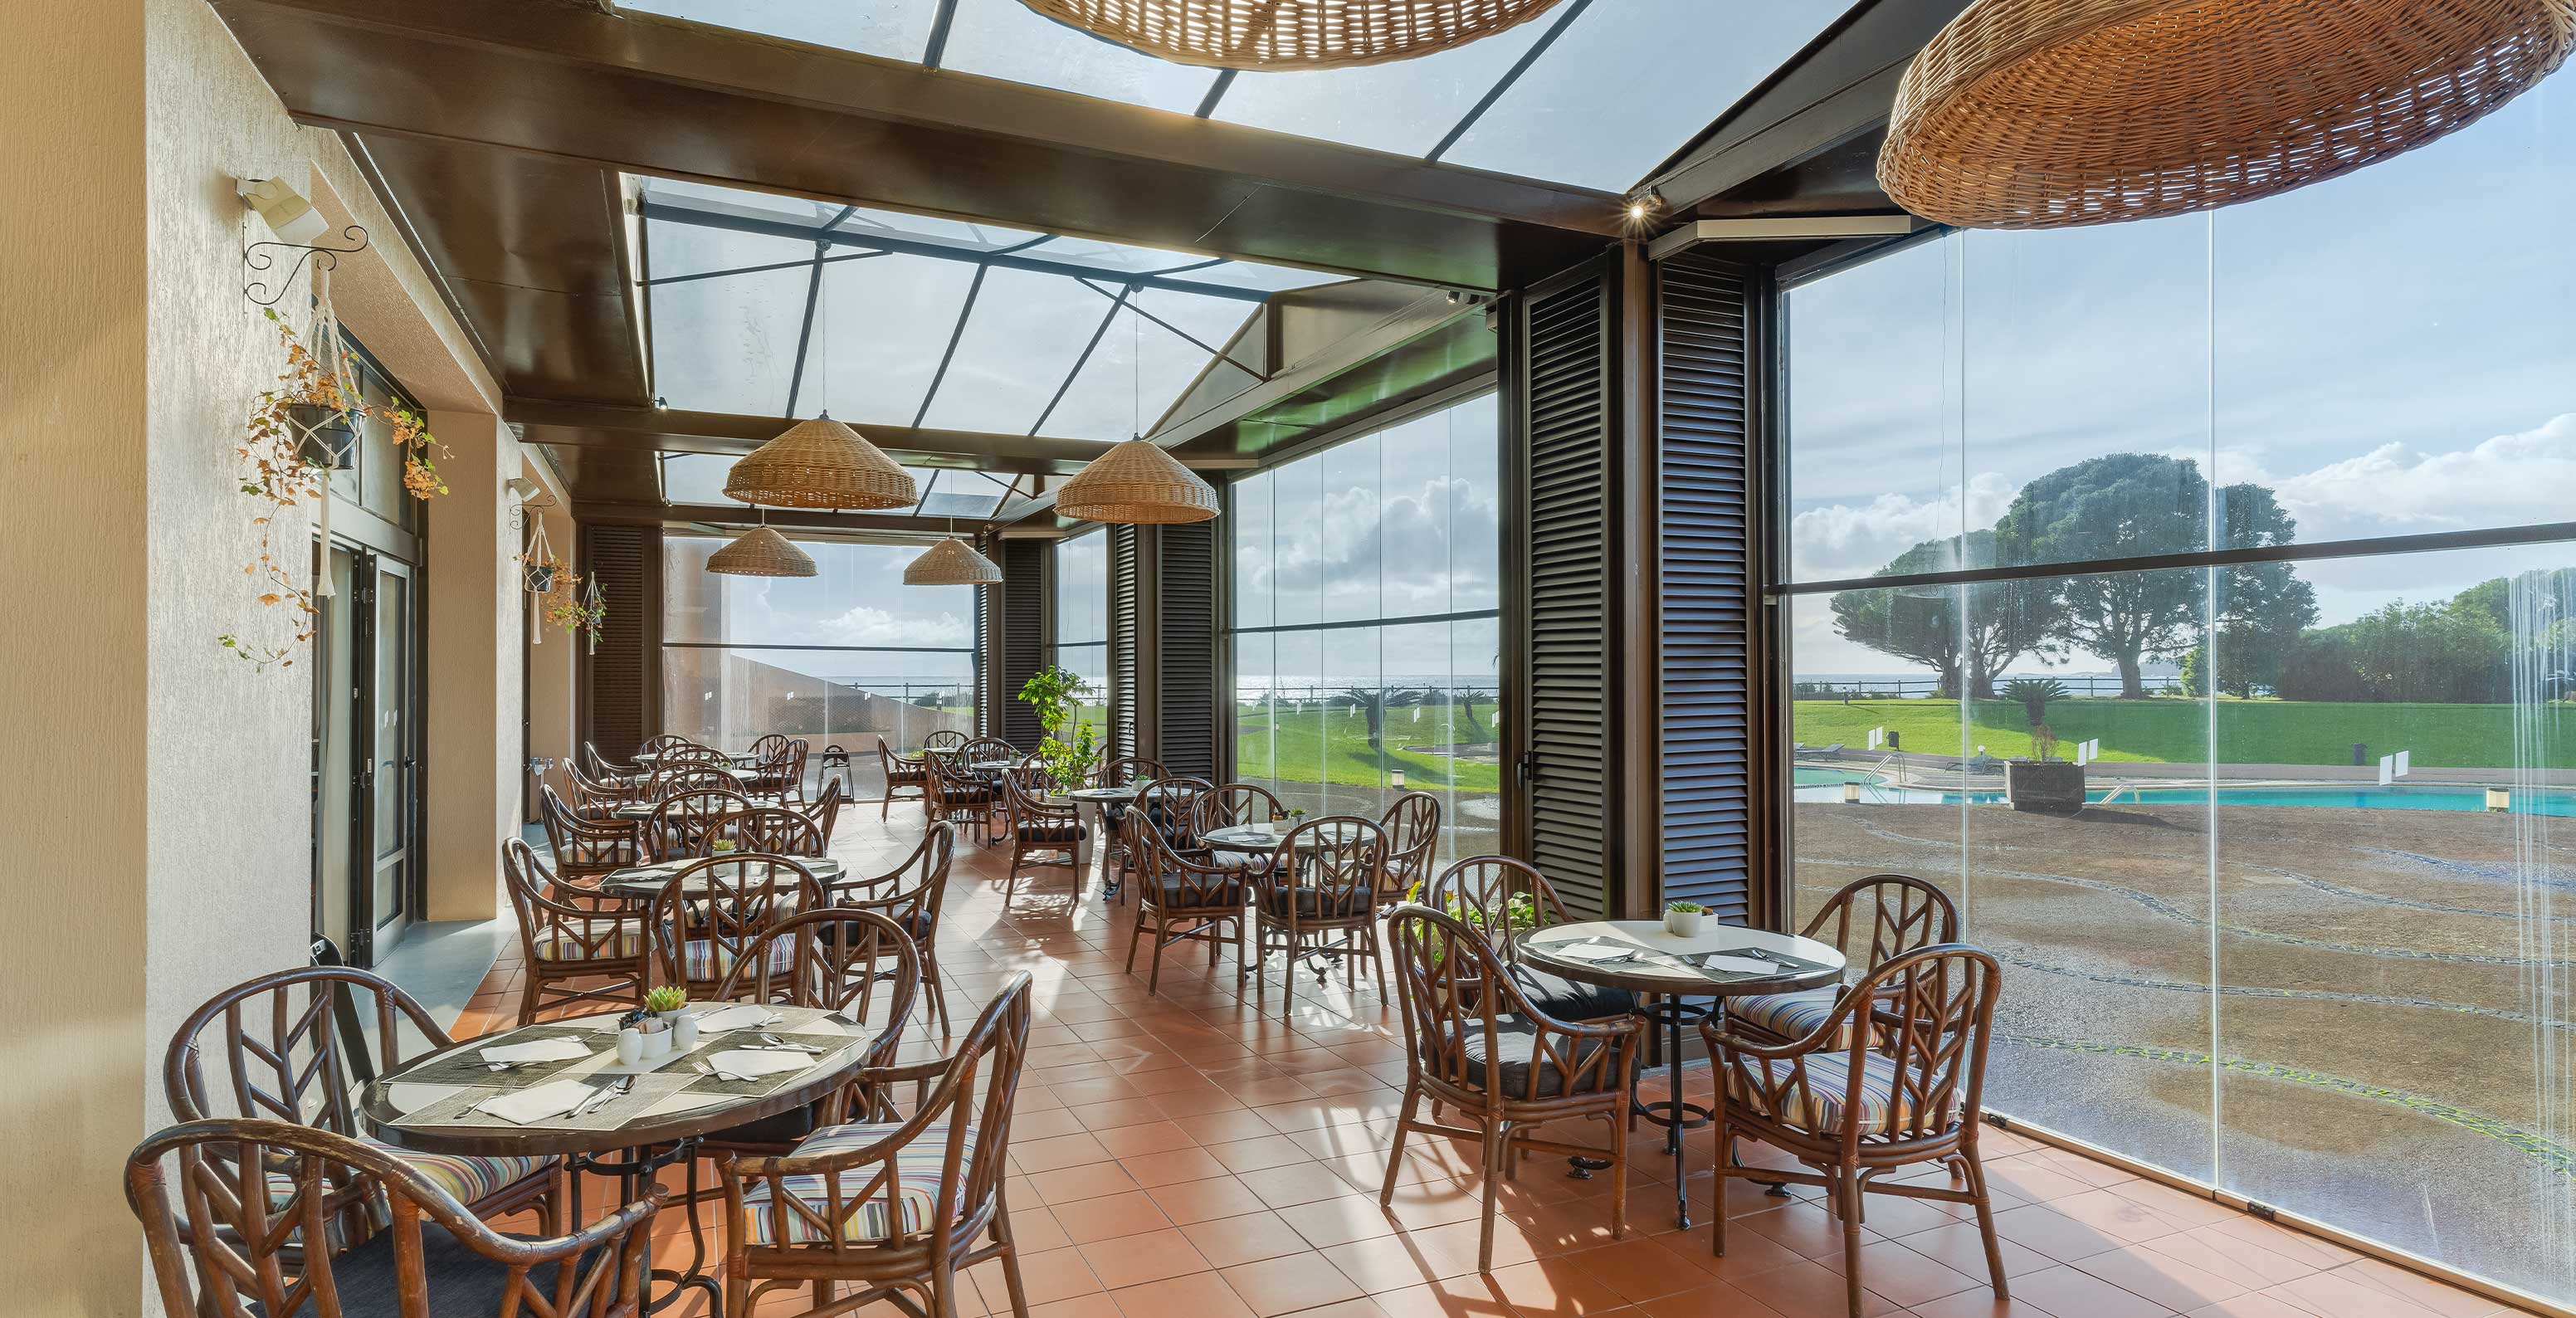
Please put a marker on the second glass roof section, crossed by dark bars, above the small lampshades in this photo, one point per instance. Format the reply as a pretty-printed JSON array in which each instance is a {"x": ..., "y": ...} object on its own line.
[{"x": 772, "y": 305}]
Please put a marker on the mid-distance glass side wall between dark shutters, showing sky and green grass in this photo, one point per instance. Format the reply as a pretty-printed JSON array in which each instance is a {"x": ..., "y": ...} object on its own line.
[{"x": 1367, "y": 642}]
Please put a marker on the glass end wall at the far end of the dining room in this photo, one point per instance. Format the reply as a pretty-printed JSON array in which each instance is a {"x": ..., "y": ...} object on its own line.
[{"x": 838, "y": 658}]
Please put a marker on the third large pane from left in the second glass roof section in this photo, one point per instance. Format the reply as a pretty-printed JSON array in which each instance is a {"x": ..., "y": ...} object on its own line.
[{"x": 1019, "y": 346}]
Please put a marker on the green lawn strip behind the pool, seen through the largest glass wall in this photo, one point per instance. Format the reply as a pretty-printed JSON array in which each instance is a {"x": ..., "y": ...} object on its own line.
[{"x": 2175, "y": 730}]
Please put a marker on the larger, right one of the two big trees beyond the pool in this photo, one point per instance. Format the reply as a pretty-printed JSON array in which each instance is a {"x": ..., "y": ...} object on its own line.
[{"x": 2132, "y": 506}]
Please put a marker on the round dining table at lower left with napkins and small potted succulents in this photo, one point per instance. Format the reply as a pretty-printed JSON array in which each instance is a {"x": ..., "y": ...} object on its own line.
[{"x": 630, "y": 1121}]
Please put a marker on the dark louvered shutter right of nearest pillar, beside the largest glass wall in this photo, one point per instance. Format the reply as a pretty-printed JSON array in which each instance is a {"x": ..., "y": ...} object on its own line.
[{"x": 1707, "y": 604}]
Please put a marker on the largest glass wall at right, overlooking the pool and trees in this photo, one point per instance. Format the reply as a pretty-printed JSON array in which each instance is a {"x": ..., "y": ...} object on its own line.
[{"x": 2193, "y": 604}]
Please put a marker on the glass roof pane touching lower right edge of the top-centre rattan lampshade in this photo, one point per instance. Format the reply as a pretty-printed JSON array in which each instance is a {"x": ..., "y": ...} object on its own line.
[{"x": 1403, "y": 107}]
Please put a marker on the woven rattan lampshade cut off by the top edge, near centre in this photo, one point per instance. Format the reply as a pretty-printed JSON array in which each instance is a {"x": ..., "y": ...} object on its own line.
[{"x": 1292, "y": 35}]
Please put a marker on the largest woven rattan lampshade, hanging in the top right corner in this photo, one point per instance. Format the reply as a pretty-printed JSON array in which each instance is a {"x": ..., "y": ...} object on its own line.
[{"x": 2044, "y": 115}]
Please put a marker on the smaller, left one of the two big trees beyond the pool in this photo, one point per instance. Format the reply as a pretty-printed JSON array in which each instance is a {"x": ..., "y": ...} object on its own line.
[{"x": 1926, "y": 624}]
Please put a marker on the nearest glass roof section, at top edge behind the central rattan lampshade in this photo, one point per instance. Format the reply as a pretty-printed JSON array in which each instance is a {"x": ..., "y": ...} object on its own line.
[{"x": 1596, "y": 94}]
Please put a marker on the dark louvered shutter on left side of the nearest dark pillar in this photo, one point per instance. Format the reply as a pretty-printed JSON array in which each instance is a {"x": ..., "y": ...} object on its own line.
[{"x": 1565, "y": 395}]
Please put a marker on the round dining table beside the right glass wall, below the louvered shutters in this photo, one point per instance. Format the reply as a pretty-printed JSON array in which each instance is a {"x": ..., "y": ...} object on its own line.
[{"x": 1722, "y": 961}]
